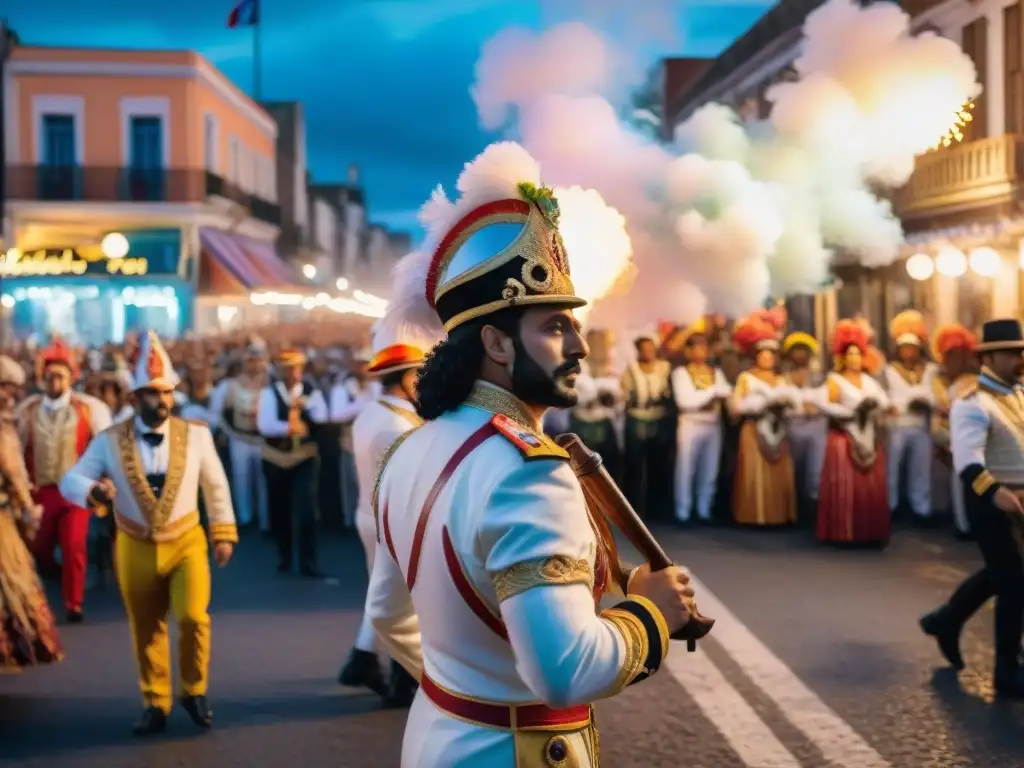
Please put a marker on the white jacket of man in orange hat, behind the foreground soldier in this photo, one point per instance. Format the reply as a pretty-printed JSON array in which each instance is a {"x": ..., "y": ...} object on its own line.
[{"x": 376, "y": 429}]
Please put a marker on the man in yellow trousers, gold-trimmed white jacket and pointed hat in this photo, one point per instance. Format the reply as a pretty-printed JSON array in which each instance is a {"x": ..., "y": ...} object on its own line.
[{"x": 151, "y": 470}]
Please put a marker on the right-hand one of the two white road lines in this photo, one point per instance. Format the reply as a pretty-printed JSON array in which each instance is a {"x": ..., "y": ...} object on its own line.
[{"x": 838, "y": 742}]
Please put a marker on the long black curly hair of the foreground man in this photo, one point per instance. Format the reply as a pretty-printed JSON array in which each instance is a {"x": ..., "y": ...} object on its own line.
[{"x": 453, "y": 367}]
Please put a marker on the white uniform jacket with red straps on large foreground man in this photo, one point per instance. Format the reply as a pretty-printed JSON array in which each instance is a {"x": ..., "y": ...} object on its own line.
[{"x": 489, "y": 593}]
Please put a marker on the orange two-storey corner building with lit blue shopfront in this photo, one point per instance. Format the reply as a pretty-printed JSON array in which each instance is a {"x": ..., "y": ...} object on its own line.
[{"x": 142, "y": 192}]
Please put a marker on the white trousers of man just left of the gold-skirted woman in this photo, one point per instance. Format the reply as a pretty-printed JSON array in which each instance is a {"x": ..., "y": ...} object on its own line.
[{"x": 698, "y": 459}]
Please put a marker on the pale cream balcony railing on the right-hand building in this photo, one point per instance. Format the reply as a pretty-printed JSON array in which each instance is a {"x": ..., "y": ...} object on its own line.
[{"x": 964, "y": 176}]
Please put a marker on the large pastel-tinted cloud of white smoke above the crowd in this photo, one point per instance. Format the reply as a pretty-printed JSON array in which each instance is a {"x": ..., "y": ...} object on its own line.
[{"x": 741, "y": 211}]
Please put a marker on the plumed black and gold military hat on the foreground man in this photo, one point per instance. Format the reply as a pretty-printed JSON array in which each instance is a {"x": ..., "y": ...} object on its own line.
[{"x": 499, "y": 246}]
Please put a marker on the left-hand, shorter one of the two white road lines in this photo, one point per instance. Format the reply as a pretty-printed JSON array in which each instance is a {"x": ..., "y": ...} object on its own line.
[{"x": 746, "y": 733}]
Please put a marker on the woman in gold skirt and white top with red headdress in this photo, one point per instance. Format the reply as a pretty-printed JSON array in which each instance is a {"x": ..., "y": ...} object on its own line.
[{"x": 764, "y": 487}]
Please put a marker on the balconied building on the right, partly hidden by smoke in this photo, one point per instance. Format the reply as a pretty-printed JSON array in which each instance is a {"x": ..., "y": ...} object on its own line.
[{"x": 960, "y": 210}]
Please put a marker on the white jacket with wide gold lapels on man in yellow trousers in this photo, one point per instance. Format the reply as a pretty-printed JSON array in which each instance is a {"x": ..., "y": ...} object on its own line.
[{"x": 187, "y": 459}]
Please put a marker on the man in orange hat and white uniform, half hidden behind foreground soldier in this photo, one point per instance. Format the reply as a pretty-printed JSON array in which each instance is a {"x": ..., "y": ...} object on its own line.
[{"x": 396, "y": 365}]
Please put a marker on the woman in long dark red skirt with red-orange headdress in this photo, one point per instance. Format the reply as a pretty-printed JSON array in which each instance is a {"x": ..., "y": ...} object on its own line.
[{"x": 854, "y": 506}]
